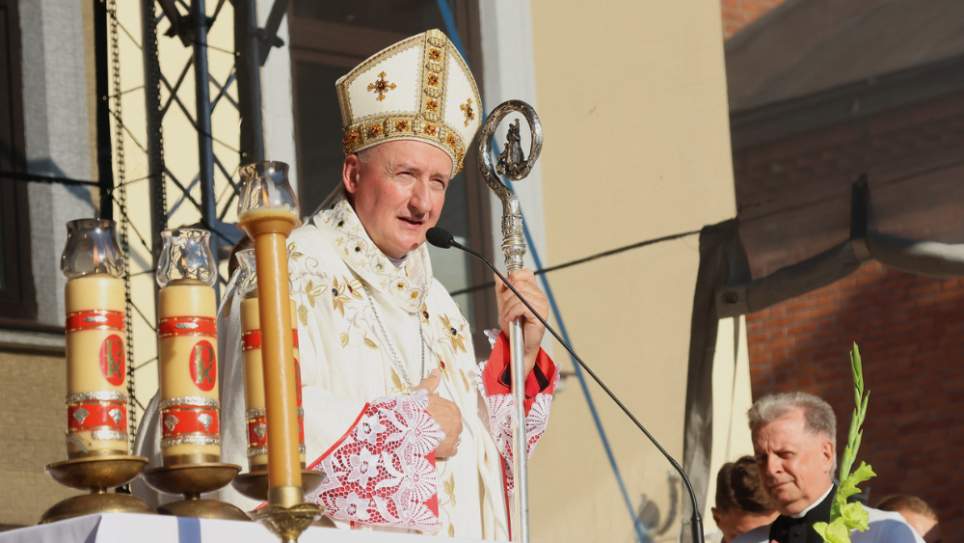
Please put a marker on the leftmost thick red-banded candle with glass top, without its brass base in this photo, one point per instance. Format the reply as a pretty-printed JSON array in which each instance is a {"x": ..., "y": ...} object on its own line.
[{"x": 96, "y": 341}]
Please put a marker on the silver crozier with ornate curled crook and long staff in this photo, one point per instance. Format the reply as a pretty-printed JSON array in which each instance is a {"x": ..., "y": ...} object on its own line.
[{"x": 513, "y": 164}]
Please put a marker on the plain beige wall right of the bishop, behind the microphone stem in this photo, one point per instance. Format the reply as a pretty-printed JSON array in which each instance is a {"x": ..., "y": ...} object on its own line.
[{"x": 632, "y": 99}]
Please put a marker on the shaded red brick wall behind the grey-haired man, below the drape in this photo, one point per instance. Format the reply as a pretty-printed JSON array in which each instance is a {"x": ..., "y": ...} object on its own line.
[{"x": 911, "y": 334}]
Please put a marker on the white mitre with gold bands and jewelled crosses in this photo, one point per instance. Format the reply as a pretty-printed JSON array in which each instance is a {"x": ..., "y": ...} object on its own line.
[{"x": 417, "y": 89}]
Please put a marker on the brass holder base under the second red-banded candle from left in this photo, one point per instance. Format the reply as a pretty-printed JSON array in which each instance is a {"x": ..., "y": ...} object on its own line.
[{"x": 191, "y": 480}]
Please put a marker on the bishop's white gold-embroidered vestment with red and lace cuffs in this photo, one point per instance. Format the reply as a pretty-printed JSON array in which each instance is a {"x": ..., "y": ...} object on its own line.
[{"x": 368, "y": 331}]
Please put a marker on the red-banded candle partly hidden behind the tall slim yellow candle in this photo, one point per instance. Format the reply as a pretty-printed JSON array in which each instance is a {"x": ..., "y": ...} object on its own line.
[{"x": 255, "y": 413}]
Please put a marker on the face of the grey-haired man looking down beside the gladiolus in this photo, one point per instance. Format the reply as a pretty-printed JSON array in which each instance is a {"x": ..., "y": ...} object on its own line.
[{"x": 795, "y": 463}]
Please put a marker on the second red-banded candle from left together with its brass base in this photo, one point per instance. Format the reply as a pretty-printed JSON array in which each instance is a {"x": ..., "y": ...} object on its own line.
[{"x": 190, "y": 414}]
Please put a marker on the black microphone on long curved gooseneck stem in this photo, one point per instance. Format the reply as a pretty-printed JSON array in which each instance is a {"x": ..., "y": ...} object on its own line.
[{"x": 443, "y": 239}]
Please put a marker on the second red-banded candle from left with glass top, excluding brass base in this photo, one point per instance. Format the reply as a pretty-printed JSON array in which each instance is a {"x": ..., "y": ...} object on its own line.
[{"x": 187, "y": 350}]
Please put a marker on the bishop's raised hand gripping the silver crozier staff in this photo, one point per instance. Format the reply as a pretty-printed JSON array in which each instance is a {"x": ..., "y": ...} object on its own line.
[{"x": 511, "y": 308}]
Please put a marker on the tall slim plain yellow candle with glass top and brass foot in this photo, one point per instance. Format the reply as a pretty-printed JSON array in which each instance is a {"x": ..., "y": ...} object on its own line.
[{"x": 268, "y": 212}]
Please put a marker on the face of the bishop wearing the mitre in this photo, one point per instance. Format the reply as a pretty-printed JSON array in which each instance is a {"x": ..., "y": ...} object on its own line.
[{"x": 398, "y": 189}]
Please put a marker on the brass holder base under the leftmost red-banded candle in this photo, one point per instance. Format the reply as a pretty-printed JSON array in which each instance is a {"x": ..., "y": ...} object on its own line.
[{"x": 96, "y": 474}]
